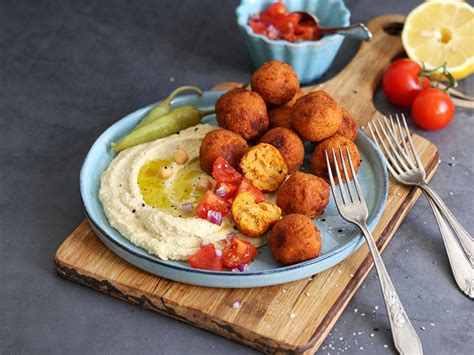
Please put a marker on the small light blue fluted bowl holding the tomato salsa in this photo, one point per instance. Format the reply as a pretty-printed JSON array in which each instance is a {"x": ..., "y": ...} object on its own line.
[{"x": 309, "y": 59}]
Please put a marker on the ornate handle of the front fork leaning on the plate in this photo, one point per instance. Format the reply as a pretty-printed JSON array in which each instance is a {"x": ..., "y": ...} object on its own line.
[{"x": 404, "y": 335}]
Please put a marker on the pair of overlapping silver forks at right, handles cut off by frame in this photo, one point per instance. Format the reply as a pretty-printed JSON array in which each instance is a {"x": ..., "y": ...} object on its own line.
[{"x": 406, "y": 167}]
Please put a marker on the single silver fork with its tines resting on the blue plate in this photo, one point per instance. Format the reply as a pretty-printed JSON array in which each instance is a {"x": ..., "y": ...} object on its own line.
[{"x": 354, "y": 210}]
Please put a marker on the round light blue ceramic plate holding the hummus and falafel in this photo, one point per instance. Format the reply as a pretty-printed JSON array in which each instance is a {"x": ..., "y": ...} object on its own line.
[{"x": 340, "y": 239}]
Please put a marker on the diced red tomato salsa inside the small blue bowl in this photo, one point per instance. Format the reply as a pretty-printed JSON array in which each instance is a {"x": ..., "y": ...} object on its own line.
[{"x": 277, "y": 23}]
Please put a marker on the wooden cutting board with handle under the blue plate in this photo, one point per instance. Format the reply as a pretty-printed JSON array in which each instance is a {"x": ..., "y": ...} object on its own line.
[{"x": 264, "y": 319}]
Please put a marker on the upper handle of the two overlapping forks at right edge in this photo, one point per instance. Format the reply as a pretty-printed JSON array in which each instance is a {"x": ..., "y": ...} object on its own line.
[{"x": 462, "y": 236}]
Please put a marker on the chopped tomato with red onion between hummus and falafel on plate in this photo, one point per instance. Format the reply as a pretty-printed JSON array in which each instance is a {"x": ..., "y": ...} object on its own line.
[{"x": 214, "y": 206}]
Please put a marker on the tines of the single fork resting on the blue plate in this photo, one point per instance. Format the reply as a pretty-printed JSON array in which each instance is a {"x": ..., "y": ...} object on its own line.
[{"x": 355, "y": 193}]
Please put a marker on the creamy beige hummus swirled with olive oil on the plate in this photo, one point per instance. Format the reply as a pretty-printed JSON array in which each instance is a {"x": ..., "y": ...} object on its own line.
[{"x": 147, "y": 210}]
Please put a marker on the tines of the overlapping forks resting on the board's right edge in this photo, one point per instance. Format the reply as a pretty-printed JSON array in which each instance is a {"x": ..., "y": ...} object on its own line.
[{"x": 392, "y": 138}]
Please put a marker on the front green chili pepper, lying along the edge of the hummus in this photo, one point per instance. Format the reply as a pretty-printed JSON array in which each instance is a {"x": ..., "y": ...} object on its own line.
[{"x": 166, "y": 125}]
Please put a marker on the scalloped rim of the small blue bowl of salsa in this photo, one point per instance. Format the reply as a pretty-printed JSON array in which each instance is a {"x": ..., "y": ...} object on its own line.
[{"x": 282, "y": 43}]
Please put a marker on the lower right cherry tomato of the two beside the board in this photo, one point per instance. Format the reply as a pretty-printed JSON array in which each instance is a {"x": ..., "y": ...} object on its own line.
[{"x": 432, "y": 109}]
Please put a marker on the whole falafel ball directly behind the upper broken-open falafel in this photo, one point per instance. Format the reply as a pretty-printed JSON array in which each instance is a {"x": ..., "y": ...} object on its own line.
[{"x": 289, "y": 144}]
